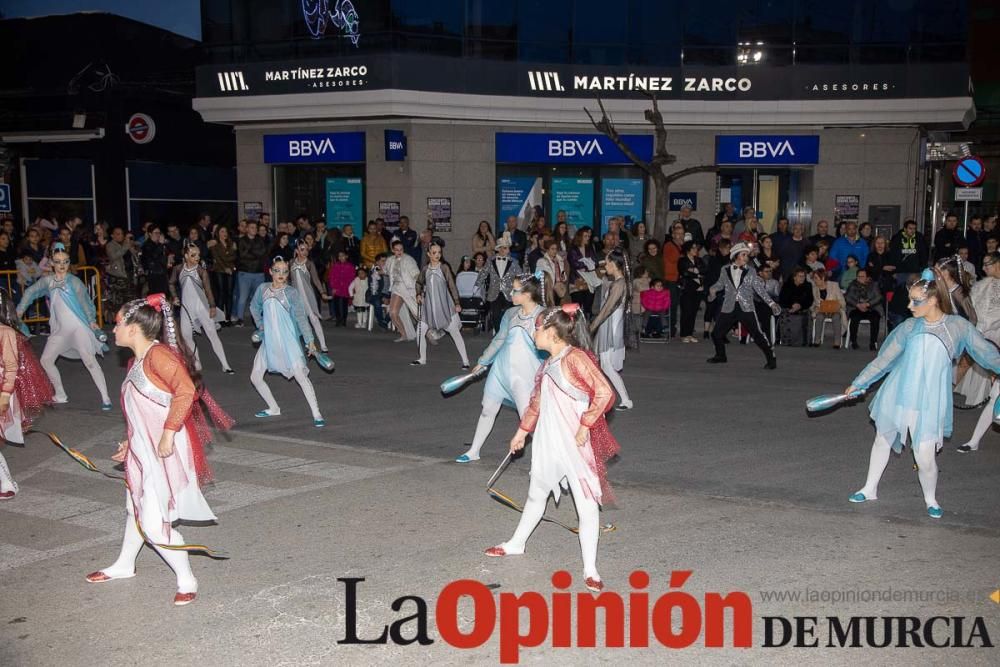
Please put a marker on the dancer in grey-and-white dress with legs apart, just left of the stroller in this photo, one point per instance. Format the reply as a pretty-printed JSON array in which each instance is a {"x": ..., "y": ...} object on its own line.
[{"x": 437, "y": 297}]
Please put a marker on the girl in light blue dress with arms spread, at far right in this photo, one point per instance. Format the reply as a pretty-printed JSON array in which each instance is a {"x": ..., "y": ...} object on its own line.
[{"x": 915, "y": 401}]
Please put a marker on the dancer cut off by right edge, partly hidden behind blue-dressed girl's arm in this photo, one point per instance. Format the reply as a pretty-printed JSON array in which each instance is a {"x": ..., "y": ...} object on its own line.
[{"x": 977, "y": 385}]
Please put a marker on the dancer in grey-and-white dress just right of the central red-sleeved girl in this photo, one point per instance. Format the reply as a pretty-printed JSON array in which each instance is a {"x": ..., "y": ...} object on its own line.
[{"x": 608, "y": 328}]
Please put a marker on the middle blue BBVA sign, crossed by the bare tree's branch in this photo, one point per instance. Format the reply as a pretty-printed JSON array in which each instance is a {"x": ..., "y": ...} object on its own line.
[{"x": 528, "y": 148}]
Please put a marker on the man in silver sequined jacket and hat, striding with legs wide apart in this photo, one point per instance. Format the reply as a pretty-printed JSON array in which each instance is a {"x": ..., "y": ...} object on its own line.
[{"x": 739, "y": 282}]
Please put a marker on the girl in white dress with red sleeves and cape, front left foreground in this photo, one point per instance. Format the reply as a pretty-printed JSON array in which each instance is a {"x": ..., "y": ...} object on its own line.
[{"x": 164, "y": 454}]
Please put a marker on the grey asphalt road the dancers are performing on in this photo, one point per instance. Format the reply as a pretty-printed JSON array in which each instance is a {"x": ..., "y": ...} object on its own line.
[{"x": 722, "y": 472}]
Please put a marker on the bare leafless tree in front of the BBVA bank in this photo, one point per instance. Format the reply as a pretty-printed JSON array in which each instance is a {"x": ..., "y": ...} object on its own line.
[{"x": 655, "y": 167}]
